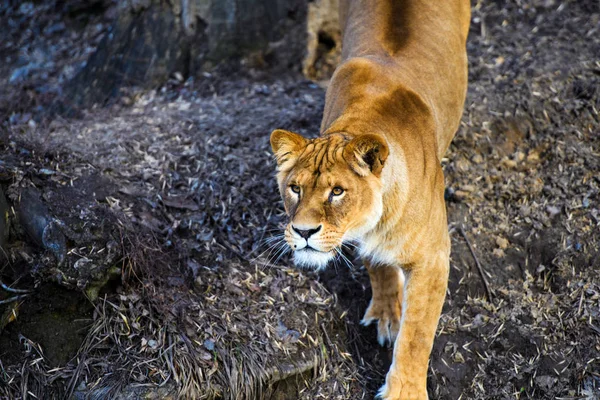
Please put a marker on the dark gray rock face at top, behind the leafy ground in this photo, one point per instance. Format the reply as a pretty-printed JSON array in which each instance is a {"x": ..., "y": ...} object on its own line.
[{"x": 153, "y": 39}]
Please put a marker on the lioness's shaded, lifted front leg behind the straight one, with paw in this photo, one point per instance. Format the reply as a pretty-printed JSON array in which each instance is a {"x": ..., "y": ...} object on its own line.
[{"x": 387, "y": 284}]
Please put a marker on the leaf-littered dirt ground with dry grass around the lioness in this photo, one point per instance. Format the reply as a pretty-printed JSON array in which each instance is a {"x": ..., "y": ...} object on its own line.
[{"x": 202, "y": 307}]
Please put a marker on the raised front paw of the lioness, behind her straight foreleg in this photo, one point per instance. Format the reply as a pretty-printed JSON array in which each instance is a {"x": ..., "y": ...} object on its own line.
[{"x": 387, "y": 311}]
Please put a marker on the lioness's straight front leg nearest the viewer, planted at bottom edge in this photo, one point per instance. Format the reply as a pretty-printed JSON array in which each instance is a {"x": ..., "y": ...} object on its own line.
[{"x": 424, "y": 297}]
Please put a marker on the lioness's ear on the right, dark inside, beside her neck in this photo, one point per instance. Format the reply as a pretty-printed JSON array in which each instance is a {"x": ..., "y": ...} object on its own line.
[{"x": 367, "y": 153}]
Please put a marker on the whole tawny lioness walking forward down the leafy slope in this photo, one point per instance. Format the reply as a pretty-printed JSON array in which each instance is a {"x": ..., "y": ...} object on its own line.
[{"x": 374, "y": 176}]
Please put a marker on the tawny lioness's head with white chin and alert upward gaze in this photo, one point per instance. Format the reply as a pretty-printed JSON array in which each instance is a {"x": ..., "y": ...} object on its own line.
[{"x": 331, "y": 189}]
